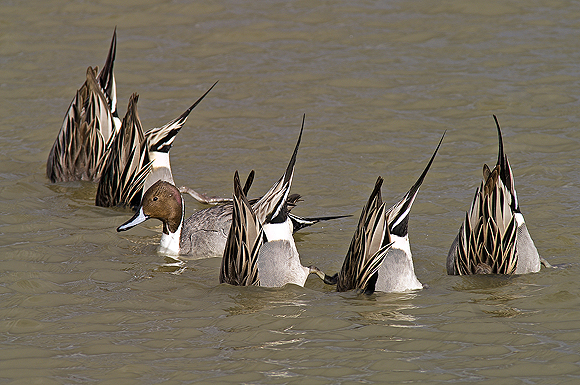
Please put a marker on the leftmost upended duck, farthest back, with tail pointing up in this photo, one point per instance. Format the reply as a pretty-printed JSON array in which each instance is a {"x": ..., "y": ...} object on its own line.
[{"x": 91, "y": 120}]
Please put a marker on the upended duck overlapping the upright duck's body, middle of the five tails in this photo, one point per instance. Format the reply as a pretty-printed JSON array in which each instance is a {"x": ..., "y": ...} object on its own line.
[{"x": 260, "y": 248}]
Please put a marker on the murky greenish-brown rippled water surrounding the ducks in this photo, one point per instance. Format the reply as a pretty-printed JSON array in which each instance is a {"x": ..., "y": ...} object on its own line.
[{"x": 379, "y": 83}]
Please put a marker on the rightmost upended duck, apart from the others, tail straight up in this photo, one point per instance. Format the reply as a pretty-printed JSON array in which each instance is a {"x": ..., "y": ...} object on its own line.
[{"x": 494, "y": 238}]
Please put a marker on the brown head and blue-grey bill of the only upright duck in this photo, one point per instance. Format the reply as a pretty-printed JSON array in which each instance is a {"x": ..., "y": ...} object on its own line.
[{"x": 161, "y": 201}]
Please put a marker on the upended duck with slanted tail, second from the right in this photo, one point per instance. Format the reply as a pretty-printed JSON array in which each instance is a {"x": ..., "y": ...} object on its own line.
[{"x": 379, "y": 256}]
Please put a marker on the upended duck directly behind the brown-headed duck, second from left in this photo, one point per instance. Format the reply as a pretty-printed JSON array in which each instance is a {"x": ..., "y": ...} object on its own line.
[{"x": 134, "y": 160}]
